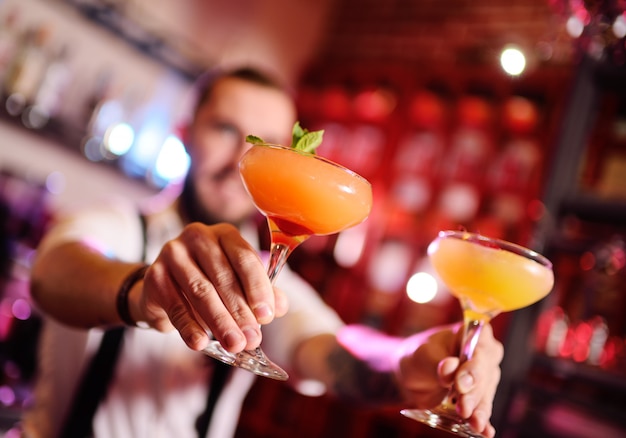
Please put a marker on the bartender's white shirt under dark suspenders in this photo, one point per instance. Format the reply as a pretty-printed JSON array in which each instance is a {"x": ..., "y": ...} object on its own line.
[{"x": 160, "y": 385}]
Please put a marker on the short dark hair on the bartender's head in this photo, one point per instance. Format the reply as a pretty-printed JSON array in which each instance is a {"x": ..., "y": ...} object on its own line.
[{"x": 206, "y": 83}]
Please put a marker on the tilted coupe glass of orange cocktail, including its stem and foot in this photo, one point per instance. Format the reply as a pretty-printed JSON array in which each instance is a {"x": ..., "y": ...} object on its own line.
[{"x": 300, "y": 194}]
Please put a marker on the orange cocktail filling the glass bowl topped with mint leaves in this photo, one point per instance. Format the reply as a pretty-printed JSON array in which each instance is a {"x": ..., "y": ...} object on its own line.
[{"x": 304, "y": 194}]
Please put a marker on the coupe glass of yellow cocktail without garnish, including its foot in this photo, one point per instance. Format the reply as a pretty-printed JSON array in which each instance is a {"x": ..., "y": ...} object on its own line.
[{"x": 487, "y": 276}]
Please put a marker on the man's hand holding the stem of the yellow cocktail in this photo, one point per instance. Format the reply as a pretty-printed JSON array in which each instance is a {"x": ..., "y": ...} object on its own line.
[{"x": 428, "y": 367}]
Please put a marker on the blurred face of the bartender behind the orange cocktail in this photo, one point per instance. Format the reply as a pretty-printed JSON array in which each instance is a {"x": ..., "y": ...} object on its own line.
[{"x": 216, "y": 142}]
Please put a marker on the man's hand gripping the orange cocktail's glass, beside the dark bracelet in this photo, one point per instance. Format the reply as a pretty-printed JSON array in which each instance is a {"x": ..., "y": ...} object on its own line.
[{"x": 210, "y": 278}]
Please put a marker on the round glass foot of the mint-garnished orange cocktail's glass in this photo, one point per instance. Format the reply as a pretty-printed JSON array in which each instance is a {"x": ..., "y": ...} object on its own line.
[{"x": 250, "y": 360}]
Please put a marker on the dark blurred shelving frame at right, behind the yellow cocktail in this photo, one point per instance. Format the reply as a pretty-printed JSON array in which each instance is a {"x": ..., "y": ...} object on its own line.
[{"x": 539, "y": 395}]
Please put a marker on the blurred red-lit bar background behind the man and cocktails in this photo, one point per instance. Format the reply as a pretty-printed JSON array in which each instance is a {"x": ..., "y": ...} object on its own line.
[{"x": 503, "y": 117}]
